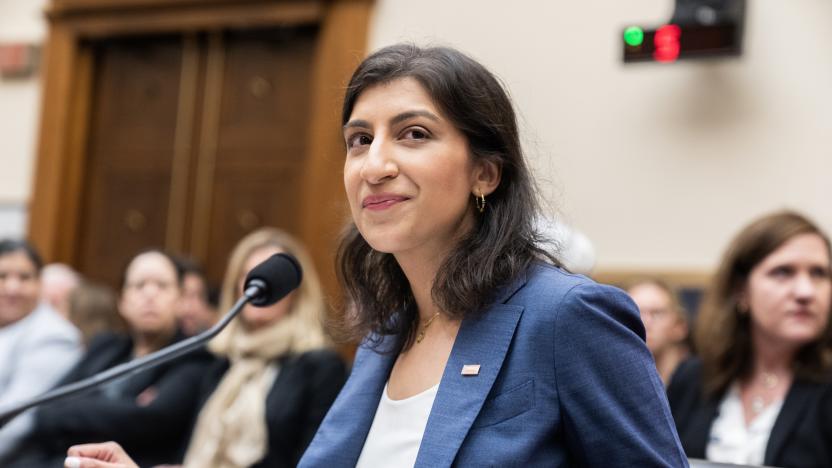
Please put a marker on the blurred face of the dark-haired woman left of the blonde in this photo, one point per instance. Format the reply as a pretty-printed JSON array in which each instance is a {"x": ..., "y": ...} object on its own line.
[{"x": 151, "y": 295}]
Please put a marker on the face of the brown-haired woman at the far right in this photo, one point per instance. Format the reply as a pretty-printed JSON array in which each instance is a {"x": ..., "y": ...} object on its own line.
[{"x": 788, "y": 294}]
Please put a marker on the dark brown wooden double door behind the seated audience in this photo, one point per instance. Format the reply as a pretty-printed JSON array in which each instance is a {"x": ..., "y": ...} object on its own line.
[{"x": 195, "y": 141}]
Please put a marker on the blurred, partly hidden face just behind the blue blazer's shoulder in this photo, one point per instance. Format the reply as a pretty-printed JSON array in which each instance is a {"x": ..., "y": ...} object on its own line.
[{"x": 663, "y": 325}]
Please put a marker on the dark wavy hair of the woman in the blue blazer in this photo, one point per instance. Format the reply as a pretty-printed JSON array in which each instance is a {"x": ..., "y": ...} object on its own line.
[{"x": 503, "y": 242}]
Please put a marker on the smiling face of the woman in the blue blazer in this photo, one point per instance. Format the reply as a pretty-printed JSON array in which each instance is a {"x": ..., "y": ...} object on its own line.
[{"x": 408, "y": 173}]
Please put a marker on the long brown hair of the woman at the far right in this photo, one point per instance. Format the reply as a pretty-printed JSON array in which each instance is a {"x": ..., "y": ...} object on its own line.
[{"x": 723, "y": 330}]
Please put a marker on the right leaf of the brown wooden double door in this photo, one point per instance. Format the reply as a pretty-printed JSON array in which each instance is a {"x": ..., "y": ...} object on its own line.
[{"x": 260, "y": 138}]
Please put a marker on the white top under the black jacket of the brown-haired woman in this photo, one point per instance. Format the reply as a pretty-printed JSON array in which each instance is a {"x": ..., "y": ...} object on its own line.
[{"x": 731, "y": 441}]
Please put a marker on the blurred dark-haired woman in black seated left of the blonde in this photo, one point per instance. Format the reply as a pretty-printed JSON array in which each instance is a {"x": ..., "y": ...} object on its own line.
[{"x": 149, "y": 411}]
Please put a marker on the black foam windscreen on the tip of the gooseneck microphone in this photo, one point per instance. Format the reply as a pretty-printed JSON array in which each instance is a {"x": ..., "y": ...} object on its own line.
[{"x": 279, "y": 275}]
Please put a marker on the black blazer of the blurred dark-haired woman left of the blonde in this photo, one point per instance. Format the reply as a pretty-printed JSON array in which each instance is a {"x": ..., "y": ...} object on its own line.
[{"x": 151, "y": 432}]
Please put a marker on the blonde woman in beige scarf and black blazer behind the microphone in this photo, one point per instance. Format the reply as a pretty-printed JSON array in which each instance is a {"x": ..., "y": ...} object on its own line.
[{"x": 263, "y": 400}]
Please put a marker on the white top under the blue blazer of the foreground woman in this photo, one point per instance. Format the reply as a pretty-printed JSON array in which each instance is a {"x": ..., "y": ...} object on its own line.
[{"x": 396, "y": 433}]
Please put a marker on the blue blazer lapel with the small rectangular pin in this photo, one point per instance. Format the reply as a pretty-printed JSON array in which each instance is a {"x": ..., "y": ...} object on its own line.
[{"x": 483, "y": 340}]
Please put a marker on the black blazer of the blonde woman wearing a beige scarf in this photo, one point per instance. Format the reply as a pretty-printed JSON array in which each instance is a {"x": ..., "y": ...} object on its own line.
[{"x": 300, "y": 397}]
